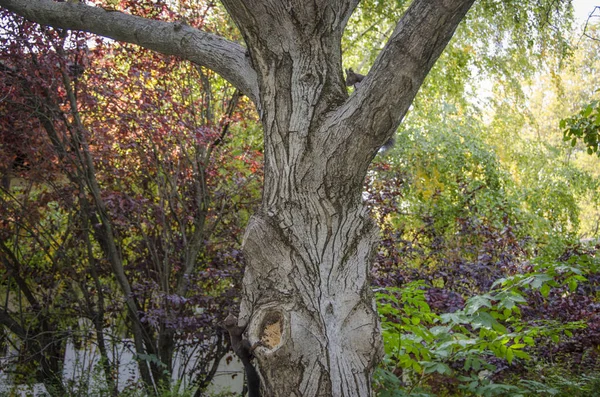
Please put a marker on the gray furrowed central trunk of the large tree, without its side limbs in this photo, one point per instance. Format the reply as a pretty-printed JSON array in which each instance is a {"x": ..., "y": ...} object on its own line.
[{"x": 306, "y": 285}]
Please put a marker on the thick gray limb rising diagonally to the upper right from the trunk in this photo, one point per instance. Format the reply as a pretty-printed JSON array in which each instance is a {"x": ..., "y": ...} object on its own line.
[{"x": 384, "y": 96}]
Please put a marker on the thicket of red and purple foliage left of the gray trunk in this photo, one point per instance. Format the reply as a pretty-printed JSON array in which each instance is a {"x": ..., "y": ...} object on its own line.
[{"x": 73, "y": 169}]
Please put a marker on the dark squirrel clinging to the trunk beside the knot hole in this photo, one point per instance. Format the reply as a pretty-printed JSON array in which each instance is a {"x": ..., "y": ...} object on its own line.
[{"x": 244, "y": 350}]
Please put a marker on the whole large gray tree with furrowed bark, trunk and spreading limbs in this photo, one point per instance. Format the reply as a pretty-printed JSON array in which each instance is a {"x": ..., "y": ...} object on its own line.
[{"x": 309, "y": 248}]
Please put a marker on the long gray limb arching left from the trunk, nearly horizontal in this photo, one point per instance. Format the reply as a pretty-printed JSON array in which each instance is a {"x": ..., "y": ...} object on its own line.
[{"x": 224, "y": 57}]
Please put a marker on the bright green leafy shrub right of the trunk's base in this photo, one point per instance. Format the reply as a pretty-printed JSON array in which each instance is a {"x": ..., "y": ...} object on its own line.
[{"x": 464, "y": 351}]
